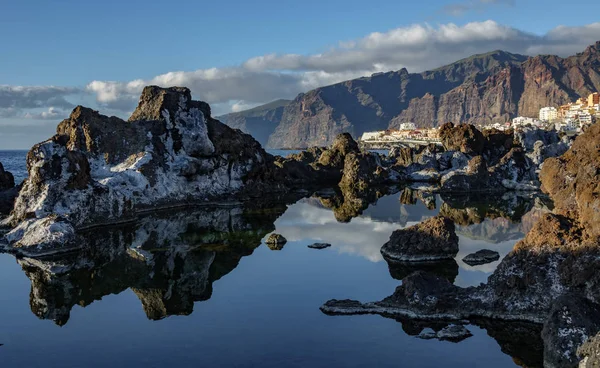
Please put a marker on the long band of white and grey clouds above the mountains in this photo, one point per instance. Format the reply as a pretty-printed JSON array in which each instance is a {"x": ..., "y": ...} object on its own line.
[{"x": 265, "y": 78}]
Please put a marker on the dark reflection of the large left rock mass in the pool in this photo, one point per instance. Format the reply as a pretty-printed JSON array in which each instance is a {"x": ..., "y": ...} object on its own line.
[{"x": 169, "y": 260}]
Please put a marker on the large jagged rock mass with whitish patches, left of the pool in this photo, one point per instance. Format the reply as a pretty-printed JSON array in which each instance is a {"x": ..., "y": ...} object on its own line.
[{"x": 100, "y": 169}]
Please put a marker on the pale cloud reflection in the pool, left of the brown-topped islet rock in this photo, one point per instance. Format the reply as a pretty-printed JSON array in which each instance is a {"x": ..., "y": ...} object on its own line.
[{"x": 362, "y": 236}]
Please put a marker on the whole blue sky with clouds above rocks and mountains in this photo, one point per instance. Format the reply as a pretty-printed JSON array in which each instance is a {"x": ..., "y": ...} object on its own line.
[{"x": 239, "y": 54}]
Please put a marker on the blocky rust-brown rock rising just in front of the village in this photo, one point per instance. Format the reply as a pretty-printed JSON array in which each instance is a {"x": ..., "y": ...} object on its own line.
[{"x": 462, "y": 137}]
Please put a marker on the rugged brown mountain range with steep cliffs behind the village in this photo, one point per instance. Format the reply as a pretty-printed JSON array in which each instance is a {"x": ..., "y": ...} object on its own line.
[{"x": 481, "y": 89}]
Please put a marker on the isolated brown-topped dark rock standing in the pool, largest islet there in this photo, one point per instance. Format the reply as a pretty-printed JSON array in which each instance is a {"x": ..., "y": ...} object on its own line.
[{"x": 431, "y": 240}]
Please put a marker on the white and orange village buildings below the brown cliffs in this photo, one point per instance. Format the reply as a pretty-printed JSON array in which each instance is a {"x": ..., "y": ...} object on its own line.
[{"x": 571, "y": 118}]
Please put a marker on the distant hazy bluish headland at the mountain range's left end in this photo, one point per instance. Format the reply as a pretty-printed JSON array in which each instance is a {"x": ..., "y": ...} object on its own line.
[{"x": 260, "y": 122}]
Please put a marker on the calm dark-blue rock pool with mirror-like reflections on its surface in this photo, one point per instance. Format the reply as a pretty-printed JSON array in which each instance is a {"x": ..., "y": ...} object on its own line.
[{"x": 218, "y": 296}]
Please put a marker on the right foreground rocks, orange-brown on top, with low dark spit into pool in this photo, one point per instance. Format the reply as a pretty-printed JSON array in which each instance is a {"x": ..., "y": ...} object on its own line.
[{"x": 549, "y": 278}]
